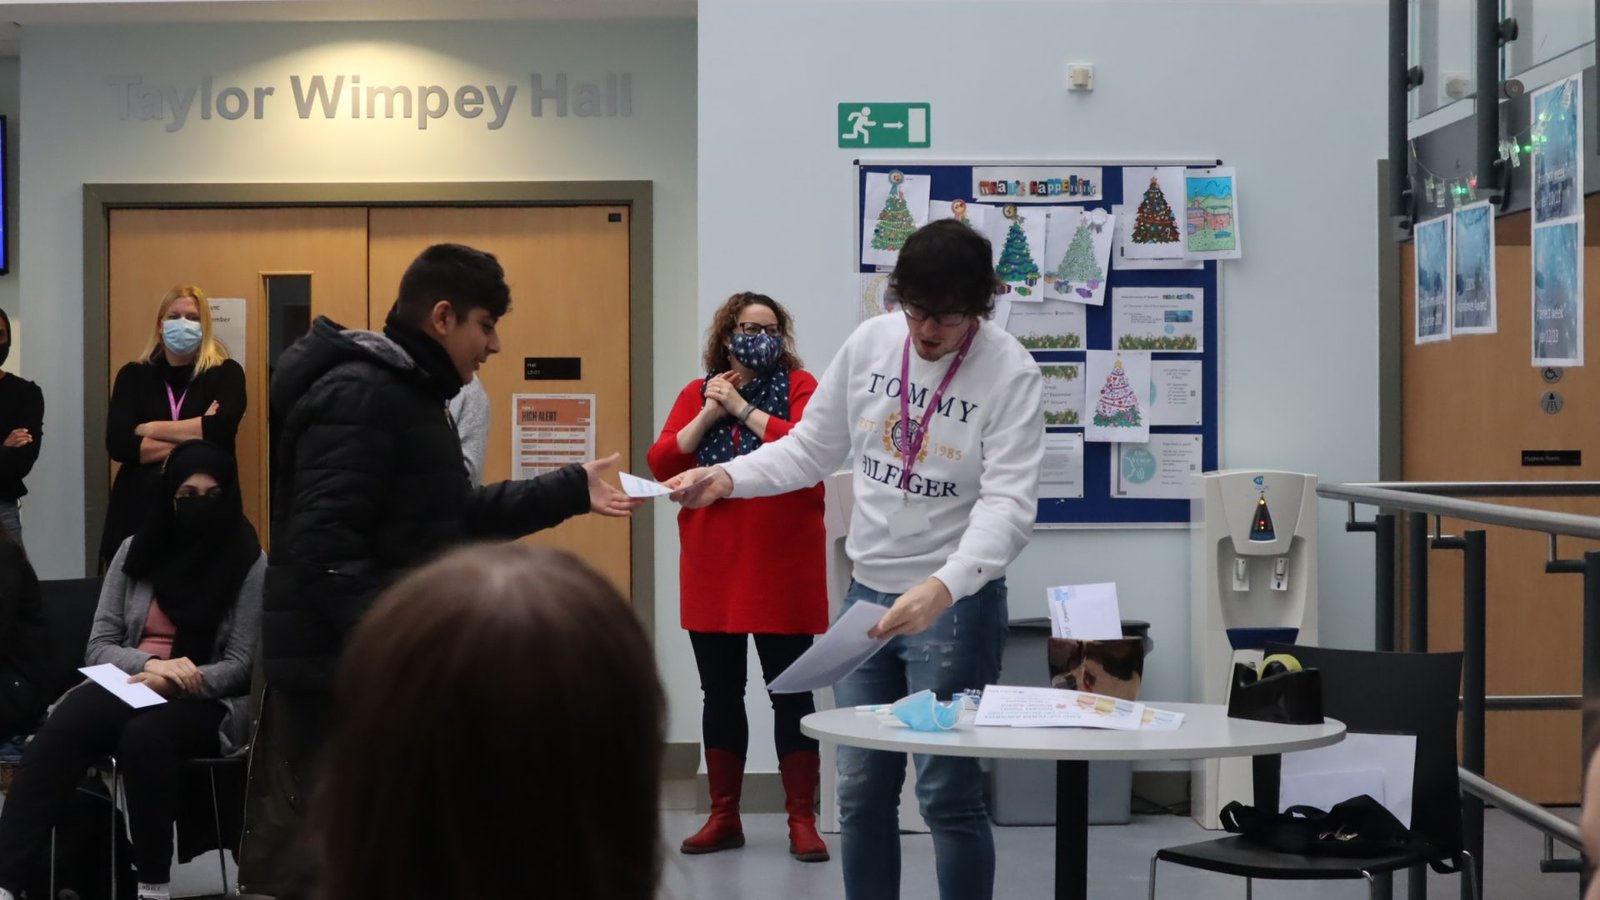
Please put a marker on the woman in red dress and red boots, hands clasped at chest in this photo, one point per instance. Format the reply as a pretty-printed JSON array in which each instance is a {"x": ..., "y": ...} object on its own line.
[{"x": 750, "y": 568}]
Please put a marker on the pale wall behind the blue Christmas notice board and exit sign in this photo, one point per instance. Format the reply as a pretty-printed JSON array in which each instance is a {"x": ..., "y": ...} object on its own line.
[{"x": 1289, "y": 92}]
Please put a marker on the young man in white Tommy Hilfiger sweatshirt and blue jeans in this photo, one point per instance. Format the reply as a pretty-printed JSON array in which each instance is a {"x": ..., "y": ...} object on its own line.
[{"x": 940, "y": 411}]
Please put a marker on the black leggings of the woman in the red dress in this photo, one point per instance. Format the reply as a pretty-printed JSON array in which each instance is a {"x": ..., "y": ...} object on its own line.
[{"x": 721, "y": 661}]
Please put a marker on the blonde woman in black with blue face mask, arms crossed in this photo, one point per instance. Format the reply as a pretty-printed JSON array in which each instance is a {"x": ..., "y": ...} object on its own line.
[{"x": 182, "y": 388}]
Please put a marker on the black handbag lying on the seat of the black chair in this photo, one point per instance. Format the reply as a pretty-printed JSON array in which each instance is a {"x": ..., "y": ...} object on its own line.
[{"x": 1359, "y": 827}]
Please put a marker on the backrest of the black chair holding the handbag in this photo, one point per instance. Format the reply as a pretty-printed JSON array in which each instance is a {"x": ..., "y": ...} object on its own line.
[{"x": 1398, "y": 694}]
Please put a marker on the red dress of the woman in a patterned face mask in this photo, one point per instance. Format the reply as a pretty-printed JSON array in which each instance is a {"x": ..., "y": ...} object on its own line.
[{"x": 748, "y": 566}]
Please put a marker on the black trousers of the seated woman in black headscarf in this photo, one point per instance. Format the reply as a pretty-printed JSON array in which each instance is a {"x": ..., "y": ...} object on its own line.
[{"x": 150, "y": 745}]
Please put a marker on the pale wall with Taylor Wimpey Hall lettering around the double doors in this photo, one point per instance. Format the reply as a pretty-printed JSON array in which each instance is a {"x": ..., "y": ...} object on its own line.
[{"x": 76, "y": 137}]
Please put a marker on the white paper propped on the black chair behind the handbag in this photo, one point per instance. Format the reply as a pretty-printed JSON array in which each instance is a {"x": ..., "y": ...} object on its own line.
[{"x": 1334, "y": 774}]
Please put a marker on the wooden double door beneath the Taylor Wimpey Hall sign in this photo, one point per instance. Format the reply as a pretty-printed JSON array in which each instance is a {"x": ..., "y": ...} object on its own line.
[{"x": 281, "y": 268}]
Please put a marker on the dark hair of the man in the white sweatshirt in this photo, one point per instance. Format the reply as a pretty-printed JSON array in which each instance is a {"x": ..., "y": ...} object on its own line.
[{"x": 946, "y": 267}]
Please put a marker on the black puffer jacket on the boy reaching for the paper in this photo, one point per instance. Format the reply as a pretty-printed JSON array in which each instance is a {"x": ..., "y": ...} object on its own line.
[{"x": 370, "y": 483}]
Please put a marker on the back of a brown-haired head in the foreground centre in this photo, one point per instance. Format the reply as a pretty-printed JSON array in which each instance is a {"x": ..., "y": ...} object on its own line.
[{"x": 500, "y": 702}]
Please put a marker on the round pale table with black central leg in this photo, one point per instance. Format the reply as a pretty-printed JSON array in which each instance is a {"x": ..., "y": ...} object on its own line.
[{"x": 1207, "y": 733}]
